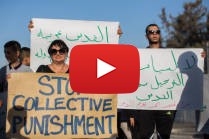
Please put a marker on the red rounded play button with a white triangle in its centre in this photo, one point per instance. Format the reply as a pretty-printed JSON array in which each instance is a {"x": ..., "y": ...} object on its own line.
[{"x": 104, "y": 68}]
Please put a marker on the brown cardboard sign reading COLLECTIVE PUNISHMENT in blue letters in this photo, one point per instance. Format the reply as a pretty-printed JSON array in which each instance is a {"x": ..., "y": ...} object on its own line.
[{"x": 44, "y": 106}]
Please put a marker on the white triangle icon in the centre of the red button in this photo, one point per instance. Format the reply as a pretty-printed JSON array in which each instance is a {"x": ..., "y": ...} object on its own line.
[{"x": 103, "y": 68}]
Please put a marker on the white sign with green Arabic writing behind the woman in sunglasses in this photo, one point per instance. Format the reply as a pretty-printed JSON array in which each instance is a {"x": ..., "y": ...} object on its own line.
[{"x": 72, "y": 32}]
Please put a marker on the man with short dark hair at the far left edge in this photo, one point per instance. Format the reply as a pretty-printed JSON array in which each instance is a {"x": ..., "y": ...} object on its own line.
[{"x": 12, "y": 51}]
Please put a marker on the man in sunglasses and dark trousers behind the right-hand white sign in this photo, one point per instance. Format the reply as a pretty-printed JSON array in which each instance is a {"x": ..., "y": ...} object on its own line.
[{"x": 147, "y": 120}]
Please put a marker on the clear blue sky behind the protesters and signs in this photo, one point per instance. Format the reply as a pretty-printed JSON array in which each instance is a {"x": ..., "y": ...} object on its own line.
[{"x": 133, "y": 15}]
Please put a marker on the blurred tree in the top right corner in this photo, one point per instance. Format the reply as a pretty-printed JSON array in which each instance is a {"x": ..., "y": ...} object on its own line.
[{"x": 189, "y": 29}]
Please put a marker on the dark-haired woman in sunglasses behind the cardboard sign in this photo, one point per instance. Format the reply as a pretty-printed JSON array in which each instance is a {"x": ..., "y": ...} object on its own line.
[{"x": 58, "y": 52}]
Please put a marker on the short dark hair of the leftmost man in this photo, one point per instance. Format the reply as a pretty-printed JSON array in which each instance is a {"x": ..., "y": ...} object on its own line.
[{"x": 13, "y": 45}]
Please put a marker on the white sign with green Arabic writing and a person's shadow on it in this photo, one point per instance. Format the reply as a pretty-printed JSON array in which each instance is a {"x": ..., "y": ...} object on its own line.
[{"x": 169, "y": 79}]
